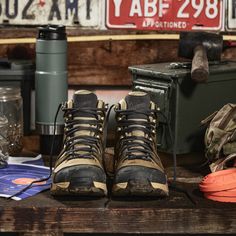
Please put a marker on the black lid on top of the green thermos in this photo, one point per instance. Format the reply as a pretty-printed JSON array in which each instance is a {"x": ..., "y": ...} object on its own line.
[{"x": 52, "y": 32}]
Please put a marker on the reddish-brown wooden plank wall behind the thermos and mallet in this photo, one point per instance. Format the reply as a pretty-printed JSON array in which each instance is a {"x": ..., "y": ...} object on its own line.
[{"x": 102, "y": 63}]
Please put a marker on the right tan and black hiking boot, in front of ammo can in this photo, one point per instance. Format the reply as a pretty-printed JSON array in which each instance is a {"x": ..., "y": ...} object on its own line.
[{"x": 138, "y": 168}]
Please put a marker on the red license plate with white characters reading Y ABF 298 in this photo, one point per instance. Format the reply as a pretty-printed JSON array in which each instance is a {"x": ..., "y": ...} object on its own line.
[{"x": 167, "y": 15}]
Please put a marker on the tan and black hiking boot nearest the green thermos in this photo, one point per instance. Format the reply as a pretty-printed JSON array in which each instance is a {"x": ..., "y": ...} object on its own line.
[{"x": 79, "y": 169}]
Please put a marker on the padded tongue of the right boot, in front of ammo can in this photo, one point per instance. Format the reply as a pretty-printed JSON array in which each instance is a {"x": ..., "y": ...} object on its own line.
[{"x": 138, "y": 101}]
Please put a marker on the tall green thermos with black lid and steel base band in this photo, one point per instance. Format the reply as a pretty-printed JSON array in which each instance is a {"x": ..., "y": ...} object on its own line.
[{"x": 51, "y": 87}]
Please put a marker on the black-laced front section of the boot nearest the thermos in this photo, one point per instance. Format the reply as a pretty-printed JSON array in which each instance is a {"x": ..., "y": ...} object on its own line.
[{"x": 83, "y": 132}]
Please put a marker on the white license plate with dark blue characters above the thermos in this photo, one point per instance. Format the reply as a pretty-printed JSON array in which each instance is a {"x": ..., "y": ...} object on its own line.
[{"x": 84, "y": 13}]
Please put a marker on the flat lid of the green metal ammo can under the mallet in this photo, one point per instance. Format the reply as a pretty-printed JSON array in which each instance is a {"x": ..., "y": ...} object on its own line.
[{"x": 181, "y": 70}]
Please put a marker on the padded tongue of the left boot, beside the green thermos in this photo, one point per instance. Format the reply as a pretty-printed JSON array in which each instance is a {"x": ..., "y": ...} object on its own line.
[{"x": 84, "y": 99}]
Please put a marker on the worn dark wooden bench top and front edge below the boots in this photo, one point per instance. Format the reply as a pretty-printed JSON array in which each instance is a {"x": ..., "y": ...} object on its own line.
[{"x": 175, "y": 214}]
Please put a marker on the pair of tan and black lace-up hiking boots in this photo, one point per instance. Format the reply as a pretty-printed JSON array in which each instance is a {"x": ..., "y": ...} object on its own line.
[{"x": 80, "y": 170}]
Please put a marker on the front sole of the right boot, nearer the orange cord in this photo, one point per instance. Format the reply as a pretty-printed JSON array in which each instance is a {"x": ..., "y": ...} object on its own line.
[{"x": 138, "y": 189}]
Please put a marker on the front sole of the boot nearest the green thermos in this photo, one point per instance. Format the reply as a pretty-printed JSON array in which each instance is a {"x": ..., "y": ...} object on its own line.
[{"x": 66, "y": 189}]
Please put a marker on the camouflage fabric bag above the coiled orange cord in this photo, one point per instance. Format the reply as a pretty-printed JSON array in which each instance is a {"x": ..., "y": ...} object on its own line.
[{"x": 220, "y": 138}]
